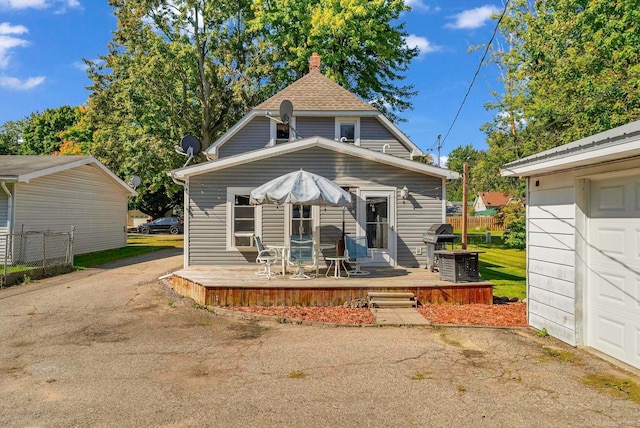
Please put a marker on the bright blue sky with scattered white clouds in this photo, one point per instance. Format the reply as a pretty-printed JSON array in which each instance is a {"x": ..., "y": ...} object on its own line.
[{"x": 42, "y": 43}]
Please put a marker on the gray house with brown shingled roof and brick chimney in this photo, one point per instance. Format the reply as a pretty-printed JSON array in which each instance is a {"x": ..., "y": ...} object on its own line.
[{"x": 335, "y": 134}]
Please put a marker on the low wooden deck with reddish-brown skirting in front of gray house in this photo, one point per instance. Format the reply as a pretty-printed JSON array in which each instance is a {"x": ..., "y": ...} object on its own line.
[{"x": 238, "y": 286}]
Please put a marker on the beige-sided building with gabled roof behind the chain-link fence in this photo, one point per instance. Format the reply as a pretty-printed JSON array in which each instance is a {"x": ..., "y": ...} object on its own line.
[{"x": 56, "y": 193}]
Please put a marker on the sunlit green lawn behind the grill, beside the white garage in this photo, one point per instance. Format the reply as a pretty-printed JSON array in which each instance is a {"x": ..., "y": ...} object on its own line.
[{"x": 504, "y": 267}]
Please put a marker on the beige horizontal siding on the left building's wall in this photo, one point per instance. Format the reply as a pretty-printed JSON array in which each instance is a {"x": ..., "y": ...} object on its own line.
[{"x": 83, "y": 197}]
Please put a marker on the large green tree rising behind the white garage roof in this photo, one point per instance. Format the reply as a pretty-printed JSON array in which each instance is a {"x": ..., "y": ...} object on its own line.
[{"x": 570, "y": 68}]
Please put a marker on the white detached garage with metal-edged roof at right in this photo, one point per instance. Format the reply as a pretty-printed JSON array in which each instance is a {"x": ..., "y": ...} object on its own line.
[{"x": 583, "y": 241}]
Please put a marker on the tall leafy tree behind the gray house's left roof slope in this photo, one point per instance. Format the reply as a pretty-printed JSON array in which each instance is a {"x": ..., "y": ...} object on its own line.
[{"x": 173, "y": 68}]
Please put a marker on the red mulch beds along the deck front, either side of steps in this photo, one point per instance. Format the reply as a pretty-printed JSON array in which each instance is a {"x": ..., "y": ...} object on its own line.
[{"x": 498, "y": 315}]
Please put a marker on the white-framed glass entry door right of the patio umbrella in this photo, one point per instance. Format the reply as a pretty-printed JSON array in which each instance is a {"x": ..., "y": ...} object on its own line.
[{"x": 377, "y": 221}]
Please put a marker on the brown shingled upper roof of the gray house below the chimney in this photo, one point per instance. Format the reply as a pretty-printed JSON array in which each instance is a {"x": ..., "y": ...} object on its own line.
[{"x": 315, "y": 92}]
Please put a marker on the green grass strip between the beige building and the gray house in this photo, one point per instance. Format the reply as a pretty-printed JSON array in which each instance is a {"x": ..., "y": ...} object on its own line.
[{"x": 136, "y": 245}]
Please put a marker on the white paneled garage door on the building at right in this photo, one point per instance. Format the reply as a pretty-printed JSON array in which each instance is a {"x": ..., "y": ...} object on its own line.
[{"x": 613, "y": 294}]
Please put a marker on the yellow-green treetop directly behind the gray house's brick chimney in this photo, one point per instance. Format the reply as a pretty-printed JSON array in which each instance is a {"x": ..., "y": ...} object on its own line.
[{"x": 362, "y": 44}]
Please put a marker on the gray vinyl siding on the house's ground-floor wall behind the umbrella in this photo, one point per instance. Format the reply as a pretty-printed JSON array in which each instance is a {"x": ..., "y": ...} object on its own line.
[{"x": 207, "y": 204}]
